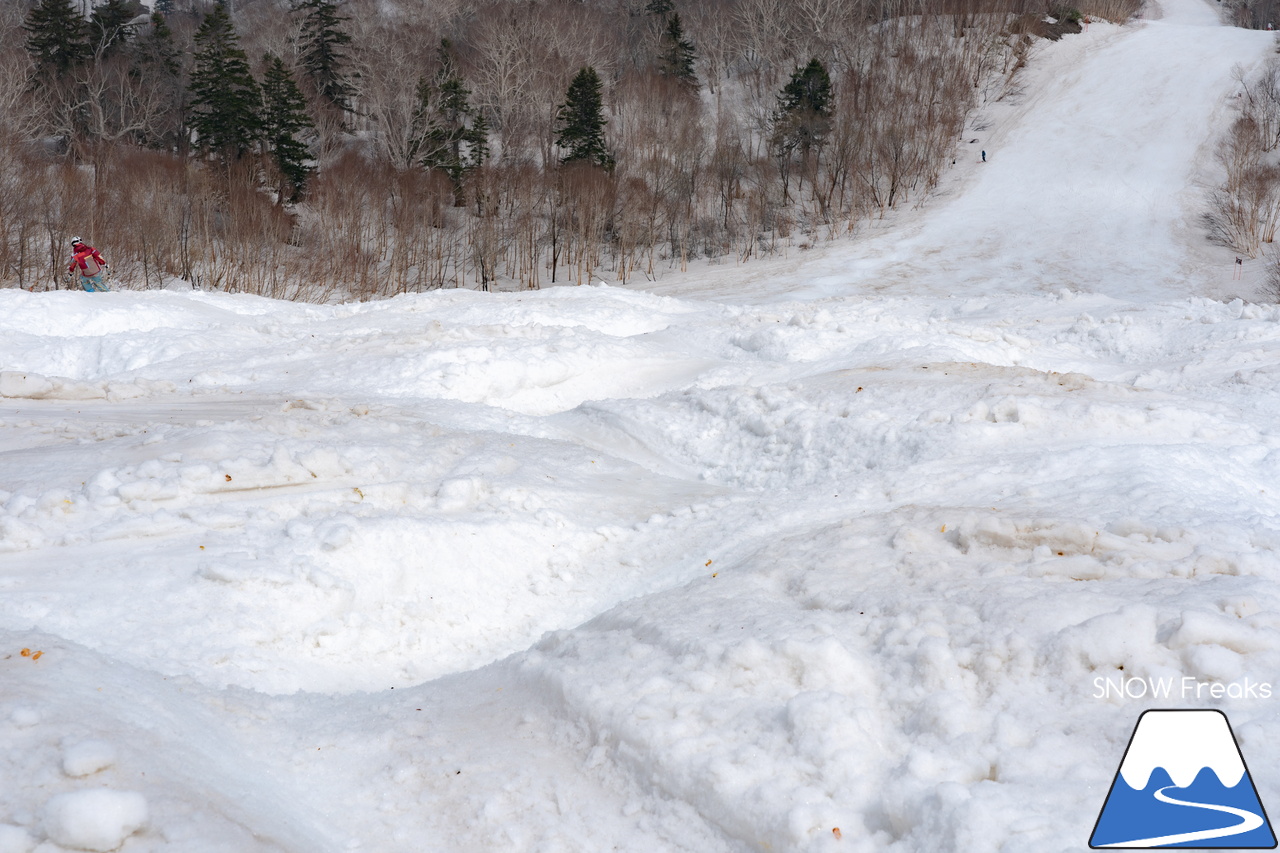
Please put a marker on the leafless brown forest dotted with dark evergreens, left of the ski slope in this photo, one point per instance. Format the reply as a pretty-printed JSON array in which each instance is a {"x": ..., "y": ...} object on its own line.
[{"x": 358, "y": 149}]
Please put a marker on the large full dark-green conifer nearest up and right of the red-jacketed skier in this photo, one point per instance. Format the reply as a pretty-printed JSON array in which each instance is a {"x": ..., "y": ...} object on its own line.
[{"x": 225, "y": 97}]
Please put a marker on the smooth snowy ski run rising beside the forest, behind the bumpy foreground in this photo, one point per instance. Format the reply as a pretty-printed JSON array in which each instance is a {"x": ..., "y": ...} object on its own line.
[{"x": 1099, "y": 166}]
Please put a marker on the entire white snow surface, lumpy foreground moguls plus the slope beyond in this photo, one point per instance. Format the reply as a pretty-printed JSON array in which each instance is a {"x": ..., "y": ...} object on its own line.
[{"x": 883, "y": 548}]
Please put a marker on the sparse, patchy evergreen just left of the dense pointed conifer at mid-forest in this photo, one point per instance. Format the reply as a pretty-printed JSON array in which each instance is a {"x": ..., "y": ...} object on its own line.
[{"x": 456, "y": 138}]
